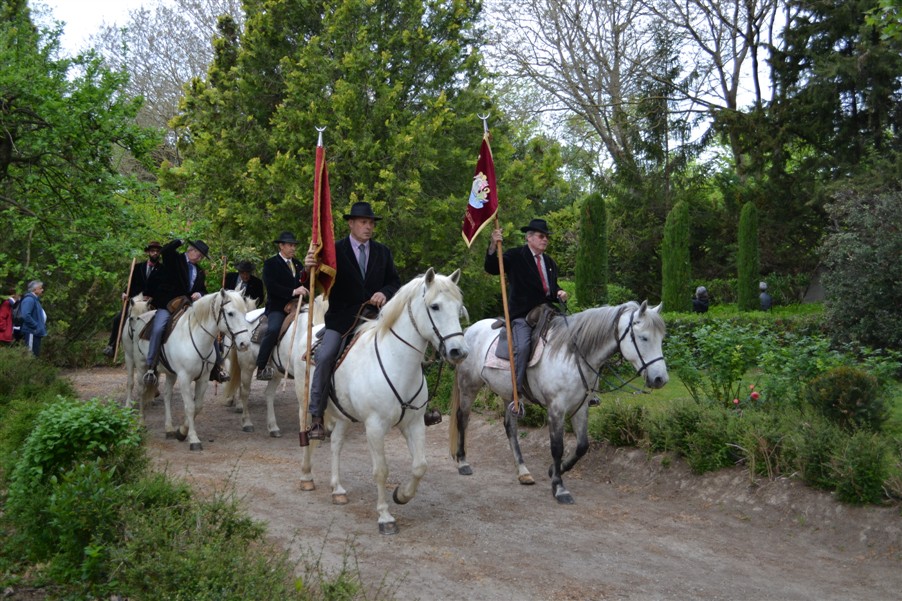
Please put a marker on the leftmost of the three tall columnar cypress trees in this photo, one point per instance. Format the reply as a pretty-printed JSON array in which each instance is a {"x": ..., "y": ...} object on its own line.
[{"x": 592, "y": 253}]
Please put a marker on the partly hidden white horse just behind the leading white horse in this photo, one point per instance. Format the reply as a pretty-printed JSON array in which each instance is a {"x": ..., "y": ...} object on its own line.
[{"x": 243, "y": 363}]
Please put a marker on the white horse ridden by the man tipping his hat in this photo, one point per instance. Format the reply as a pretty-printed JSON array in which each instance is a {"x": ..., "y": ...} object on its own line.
[{"x": 187, "y": 355}]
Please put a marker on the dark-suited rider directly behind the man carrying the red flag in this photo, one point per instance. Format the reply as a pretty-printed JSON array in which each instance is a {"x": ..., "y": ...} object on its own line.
[{"x": 282, "y": 276}]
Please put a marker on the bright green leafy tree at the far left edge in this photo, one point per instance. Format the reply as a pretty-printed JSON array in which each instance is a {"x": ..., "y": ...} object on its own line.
[{"x": 65, "y": 124}]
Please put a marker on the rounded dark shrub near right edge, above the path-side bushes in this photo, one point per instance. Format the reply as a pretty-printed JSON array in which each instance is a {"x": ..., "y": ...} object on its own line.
[{"x": 850, "y": 397}]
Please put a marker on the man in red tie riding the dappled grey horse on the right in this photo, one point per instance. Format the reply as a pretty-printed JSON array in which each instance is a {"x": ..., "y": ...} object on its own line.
[{"x": 531, "y": 281}]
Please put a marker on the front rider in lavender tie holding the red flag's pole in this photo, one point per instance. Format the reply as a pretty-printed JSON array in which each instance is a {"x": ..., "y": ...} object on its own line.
[{"x": 365, "y": 275}]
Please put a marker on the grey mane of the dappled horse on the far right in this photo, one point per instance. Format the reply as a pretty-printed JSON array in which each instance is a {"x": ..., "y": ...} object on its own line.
[{"x": 592, "y": 328}]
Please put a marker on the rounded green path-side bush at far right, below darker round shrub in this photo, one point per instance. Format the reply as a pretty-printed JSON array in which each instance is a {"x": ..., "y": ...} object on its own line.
[{"x": 860, "y": 467}]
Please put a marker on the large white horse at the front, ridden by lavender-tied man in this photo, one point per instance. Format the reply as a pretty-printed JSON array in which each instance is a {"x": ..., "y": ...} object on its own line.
[{"x": 380, "y": 382}]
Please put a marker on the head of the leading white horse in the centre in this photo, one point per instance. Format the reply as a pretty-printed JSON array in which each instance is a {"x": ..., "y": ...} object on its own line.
[{"x": 441, "y": 308}]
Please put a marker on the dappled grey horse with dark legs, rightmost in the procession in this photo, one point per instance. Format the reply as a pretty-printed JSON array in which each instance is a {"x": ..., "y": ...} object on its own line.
[{"x": 564, "y": 379}]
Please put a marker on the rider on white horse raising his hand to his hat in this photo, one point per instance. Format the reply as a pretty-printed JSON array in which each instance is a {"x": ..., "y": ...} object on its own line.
[{"x": 179, "y": 275}]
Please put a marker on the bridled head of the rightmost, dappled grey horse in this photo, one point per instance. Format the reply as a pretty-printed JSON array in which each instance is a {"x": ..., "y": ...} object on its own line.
[{"x": 640, "y": 336}]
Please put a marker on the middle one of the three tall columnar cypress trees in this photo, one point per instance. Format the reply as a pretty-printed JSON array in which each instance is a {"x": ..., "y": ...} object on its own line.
[{"x": 675, "y": 267}]
